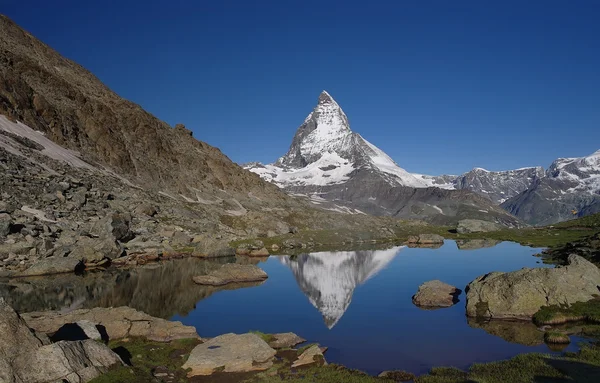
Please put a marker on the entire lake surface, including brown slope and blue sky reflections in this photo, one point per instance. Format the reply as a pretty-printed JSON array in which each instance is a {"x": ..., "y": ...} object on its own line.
[{"x": 357, "y": 303}]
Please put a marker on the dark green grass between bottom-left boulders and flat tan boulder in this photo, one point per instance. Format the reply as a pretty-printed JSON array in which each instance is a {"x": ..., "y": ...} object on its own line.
[{"x": 143, "y": 356}]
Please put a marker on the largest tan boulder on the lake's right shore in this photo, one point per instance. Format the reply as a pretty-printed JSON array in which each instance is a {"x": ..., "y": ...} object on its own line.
[{"x": 520, "y": 294}]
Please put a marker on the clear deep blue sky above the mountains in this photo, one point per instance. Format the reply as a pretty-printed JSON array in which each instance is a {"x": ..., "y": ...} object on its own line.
[{"x": 441, "y": 86}]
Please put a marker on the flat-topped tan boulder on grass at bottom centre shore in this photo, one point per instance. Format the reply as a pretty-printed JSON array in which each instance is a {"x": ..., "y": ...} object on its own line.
[{"x": 230, "y": 353}]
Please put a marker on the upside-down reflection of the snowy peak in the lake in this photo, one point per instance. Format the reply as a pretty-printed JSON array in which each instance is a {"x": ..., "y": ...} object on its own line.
[{"x": 329, "y": 278}]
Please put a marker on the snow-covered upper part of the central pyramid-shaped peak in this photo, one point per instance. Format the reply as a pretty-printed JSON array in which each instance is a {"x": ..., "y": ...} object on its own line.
[{"x": 325, "y": 151}]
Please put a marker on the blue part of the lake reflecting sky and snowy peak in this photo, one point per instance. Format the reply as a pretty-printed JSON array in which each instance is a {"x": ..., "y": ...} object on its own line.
[{"x": 359, "y": 305}]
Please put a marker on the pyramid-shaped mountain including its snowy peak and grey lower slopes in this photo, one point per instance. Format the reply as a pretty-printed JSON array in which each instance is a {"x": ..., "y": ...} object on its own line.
[{"x": 327, "y": 161}]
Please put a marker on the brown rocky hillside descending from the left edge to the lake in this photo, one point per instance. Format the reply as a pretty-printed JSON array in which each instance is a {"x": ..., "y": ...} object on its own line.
[{"x": 88, "y": 177}]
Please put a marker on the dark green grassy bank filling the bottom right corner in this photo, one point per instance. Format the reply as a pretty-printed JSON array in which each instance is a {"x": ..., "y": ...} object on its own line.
[{"x": 583, "y": 367}]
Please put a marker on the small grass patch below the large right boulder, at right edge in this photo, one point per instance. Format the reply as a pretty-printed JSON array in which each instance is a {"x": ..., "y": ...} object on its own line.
[{"x": 553, "y": 315}]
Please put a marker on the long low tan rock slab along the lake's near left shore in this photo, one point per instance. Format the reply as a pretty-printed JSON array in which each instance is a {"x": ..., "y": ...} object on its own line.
[{"x": 119, "y": 322}]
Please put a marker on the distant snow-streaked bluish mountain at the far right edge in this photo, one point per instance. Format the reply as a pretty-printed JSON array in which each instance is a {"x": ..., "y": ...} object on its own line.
[{"x": 569, "y": 189}]
